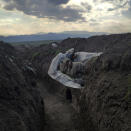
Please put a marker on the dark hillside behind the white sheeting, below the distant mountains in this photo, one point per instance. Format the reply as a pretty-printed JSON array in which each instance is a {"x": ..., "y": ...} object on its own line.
[{"x": 41, "y": 56}]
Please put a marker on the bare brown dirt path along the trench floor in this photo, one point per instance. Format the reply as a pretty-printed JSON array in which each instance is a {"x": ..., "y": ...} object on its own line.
[{"x": 58, "y": 112}]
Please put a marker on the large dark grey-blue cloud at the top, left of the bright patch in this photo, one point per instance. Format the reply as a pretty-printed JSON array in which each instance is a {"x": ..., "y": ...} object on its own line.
[{"x": 46, "y": 9}]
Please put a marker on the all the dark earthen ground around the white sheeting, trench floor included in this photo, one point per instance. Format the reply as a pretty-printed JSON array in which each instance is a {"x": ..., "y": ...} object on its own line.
[{"x": 31, "y": 100}]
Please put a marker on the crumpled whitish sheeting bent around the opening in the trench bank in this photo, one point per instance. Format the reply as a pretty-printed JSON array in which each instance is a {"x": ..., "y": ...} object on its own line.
[{"x": 64, "y": 79}]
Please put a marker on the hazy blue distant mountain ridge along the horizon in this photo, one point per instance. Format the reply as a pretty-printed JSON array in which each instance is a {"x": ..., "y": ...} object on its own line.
[{"x": 49, "y": 36}]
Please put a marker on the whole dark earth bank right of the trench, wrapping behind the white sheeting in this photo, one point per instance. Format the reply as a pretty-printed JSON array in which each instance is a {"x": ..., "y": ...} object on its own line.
[{"x": 104, "y": 104}]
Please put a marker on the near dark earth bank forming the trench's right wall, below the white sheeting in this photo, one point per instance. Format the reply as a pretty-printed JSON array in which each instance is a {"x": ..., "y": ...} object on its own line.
[{"x": 105, "y": 102}]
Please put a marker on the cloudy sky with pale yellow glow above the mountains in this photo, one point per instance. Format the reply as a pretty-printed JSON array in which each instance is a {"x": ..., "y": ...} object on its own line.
[{"x": 35, "y": 16}]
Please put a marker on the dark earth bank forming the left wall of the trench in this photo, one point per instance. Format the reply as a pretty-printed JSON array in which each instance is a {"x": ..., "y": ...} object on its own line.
[{"x": 21, "y": 107}]
